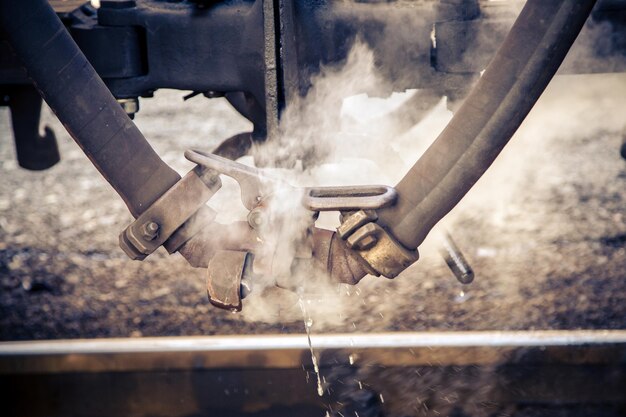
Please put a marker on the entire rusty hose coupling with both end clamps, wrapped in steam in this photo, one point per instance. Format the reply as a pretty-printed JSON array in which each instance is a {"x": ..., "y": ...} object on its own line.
[{"x": 279, "y": 243}]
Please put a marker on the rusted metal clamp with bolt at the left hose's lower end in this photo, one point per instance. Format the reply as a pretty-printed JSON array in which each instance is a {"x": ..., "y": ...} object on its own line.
[{"x": 166, "y": 217}]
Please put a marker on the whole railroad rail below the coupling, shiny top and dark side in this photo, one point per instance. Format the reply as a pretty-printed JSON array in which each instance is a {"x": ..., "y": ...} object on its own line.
[{"x": 562, "y": 373}]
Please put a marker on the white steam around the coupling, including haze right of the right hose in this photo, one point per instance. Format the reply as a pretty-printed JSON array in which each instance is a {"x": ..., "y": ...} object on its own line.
[{"x": 340, "y": 135}]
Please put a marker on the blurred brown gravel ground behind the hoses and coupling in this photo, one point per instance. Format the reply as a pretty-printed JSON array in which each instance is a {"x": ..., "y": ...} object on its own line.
[{"x": 545, "y": 231}]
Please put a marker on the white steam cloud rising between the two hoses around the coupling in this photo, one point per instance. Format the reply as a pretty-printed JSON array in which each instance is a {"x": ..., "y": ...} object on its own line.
[{"x": 336, "y": 135}]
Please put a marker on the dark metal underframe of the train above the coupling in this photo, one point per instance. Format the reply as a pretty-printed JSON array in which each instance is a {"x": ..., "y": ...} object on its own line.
[{"x": 260, "y": 54}]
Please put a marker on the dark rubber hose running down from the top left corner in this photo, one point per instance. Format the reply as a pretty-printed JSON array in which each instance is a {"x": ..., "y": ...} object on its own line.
[{"x": 83, "y": 103}]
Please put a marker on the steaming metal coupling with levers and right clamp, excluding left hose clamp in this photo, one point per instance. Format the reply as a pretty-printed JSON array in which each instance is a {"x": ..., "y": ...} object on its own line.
[{"x": 283, "y": 219}]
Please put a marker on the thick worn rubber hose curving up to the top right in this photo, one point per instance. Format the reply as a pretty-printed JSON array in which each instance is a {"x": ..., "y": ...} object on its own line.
[{"x": 512, "y": 83}]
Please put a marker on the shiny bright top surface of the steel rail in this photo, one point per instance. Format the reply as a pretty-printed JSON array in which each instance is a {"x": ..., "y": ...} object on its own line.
[{"x": 323, "y": 341}]
